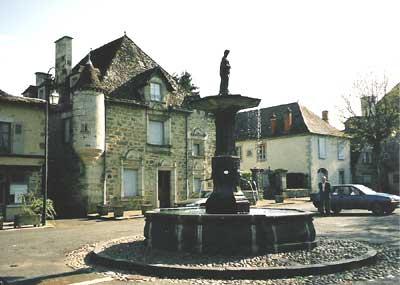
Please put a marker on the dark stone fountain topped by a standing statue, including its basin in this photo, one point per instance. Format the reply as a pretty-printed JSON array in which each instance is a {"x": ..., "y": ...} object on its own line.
[{"x": 227, "y": 224}]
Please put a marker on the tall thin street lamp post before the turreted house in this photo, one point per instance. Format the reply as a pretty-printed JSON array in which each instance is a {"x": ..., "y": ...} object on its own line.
[{"x": 48, "y": 85}]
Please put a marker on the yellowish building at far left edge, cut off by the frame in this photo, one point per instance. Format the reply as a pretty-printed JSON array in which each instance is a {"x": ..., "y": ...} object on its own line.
[{"x": 22, "y": 142}]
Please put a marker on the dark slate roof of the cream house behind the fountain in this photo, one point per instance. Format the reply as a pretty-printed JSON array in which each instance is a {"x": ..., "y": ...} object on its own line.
[{"x": 303, "y": 122}]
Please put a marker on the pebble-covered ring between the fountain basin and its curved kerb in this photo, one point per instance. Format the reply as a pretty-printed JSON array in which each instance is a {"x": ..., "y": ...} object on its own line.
[{"x": 133, "y": 249}]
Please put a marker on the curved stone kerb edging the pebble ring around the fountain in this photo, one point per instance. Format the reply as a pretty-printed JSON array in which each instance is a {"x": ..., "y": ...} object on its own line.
[{"x": 96, "y": 257}]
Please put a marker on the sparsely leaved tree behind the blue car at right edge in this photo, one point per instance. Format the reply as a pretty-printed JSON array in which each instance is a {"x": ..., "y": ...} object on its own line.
[{"x": 379, "y": 121}]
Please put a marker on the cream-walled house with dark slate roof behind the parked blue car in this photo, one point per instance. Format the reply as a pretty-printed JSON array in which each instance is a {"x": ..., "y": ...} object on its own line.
[{"x": 290, "y": 137}]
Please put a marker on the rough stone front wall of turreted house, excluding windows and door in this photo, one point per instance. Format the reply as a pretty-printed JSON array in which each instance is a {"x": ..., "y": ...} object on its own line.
[{"x": 127, "y": 147}]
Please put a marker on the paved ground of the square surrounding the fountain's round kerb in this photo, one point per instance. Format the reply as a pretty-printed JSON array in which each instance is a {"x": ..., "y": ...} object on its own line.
[{"x": 32, "y": 252}]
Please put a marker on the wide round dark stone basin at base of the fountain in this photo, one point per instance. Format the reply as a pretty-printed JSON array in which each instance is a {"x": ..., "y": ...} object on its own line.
[{"x": 259, "y": 231}]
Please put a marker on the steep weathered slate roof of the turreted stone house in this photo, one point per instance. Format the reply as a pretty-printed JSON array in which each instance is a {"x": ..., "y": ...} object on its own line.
[{"x": 123, "y": 66}]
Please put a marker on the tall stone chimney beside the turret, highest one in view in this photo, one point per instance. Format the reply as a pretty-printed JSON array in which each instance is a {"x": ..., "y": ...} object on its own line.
[{"x": 63, "y": 58}]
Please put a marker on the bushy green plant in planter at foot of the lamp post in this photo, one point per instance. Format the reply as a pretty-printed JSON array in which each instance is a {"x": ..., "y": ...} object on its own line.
[{"x": 31, "y": 210}]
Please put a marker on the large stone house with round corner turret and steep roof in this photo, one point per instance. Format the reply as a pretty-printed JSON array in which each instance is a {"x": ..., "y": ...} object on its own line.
[{"x": 120, "y": 129}]
